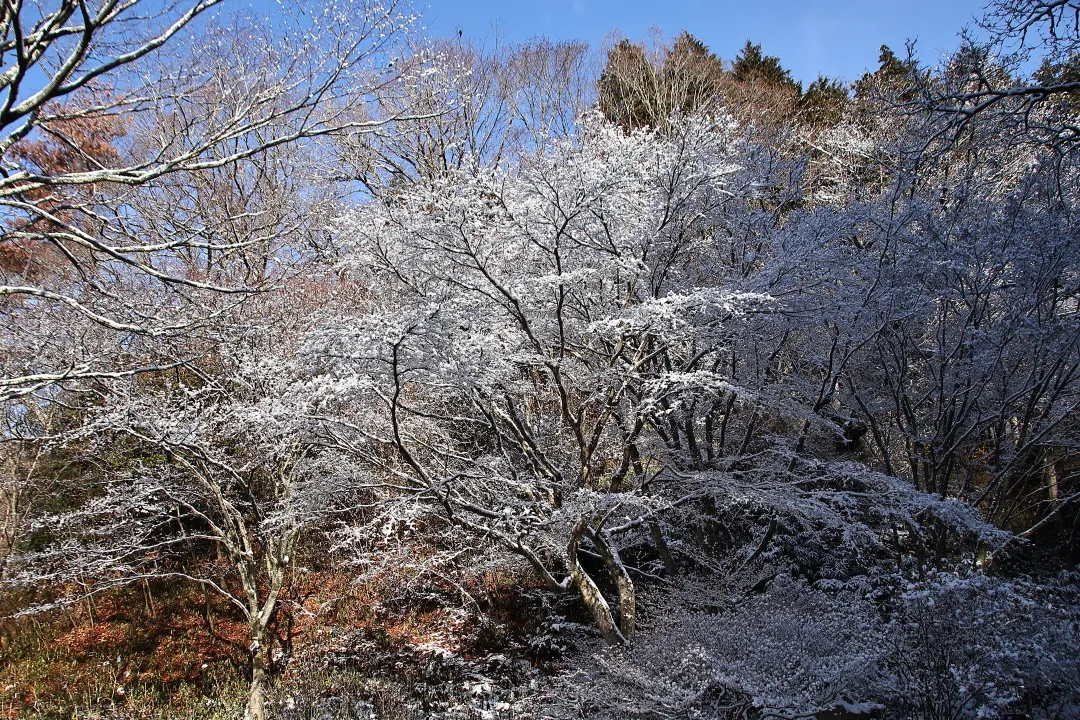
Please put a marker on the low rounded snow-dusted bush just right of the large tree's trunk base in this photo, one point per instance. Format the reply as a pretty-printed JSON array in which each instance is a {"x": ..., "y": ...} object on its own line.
[{"x": 790, "y": 650}]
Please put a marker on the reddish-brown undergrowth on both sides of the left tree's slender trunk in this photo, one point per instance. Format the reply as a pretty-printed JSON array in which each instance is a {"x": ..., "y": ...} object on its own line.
[{"x": 171, "y": 650}]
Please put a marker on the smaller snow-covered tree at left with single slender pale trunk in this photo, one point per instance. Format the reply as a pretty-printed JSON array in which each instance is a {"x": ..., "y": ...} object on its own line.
[{"x": 210, "y": 474}]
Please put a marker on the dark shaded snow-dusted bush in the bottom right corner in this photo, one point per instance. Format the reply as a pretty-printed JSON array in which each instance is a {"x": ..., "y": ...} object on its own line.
[{"x": 978, "y": 647}]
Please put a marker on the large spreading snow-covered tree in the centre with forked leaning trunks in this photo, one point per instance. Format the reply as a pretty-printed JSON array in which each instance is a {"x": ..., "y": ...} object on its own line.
[{"x": 559, "y": 356}]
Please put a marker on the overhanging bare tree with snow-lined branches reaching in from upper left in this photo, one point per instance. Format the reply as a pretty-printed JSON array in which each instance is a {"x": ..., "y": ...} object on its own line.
[{"x": 170, "y": 93}]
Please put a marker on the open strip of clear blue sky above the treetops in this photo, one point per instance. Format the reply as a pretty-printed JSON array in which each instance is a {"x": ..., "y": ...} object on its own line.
[{"x": 839, "y": 38}]
